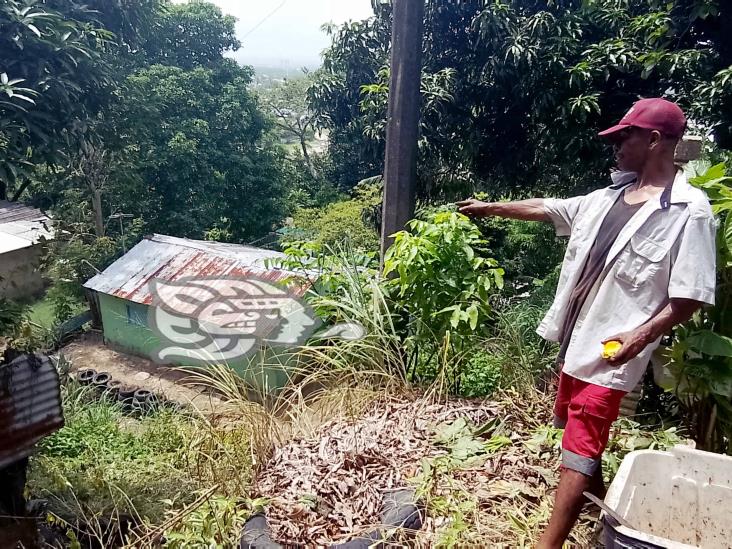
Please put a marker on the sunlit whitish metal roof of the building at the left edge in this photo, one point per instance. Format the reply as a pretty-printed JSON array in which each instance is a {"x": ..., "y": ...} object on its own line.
[{"x": 22, "y": 226}]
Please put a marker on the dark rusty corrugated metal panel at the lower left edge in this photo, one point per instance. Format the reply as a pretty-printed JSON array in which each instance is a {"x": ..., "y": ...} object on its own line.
[{"x": 30, "y": 405}]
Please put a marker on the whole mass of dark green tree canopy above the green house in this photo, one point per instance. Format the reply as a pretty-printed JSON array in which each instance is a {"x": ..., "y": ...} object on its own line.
[{"x": 153, "y": 121}]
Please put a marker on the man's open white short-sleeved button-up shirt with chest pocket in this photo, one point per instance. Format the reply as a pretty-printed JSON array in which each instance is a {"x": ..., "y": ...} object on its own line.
[{"x": 667, "y": 250}]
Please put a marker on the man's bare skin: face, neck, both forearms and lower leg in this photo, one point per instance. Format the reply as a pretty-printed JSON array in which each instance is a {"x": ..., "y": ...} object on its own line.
[{"x": 650, "y": 155}]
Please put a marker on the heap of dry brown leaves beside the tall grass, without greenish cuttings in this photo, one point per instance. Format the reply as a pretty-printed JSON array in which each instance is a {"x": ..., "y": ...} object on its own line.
[{"x": 329, "y": 486}]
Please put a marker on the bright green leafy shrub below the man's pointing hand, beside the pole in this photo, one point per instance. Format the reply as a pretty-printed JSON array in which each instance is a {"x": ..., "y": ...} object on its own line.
[{"x": 440, "y": 283}]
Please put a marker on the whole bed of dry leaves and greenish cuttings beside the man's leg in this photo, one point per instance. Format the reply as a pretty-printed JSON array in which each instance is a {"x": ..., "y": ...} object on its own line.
[{"x": 327, "y": 487}]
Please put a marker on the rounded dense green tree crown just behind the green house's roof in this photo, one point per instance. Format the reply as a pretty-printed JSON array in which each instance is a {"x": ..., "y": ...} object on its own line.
[{"x": 195, "y": 138}]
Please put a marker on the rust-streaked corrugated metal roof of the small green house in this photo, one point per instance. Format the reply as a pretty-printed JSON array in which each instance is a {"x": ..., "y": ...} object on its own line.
[{"x": 170, "y": 258}]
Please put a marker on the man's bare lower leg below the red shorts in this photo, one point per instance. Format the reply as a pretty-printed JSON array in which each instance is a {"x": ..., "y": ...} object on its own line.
[{"x": 568, "y": 504}]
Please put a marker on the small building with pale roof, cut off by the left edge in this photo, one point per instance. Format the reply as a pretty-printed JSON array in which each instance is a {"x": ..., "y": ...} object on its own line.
[{"x": 23, "y": 231}]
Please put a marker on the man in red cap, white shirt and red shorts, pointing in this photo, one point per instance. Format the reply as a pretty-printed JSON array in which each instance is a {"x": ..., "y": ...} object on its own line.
[{"x": 640, "y": 259}]
